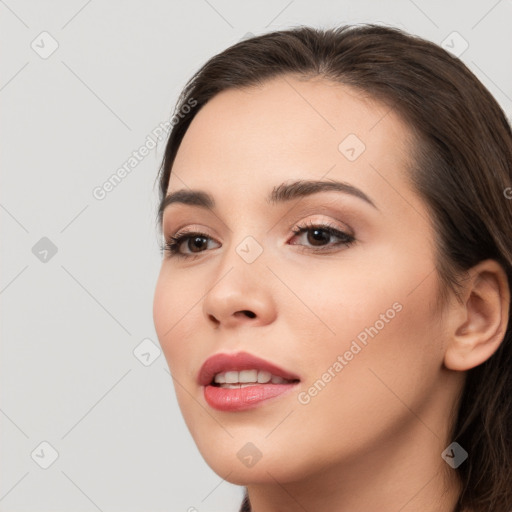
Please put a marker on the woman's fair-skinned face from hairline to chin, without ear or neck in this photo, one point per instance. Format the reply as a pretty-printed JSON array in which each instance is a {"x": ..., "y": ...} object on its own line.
[{"x": 334, "y": 284}]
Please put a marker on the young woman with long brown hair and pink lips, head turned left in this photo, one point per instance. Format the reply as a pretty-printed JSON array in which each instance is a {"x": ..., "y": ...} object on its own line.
[{"x": 334, "y": 298}]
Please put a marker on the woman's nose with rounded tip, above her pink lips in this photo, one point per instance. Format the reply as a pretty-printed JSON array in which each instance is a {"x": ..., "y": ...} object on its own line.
[{"x": 240, "y": 295}]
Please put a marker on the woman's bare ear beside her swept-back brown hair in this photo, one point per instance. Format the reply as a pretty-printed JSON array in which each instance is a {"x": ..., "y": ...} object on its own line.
[{"x": 477, "y": 324}]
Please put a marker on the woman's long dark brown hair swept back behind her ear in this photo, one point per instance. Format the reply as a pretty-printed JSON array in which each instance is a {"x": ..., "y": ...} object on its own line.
[{"x": 462, "y": 167}]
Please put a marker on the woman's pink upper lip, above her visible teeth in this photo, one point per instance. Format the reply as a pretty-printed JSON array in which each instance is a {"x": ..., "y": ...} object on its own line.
[{"x": 220, "y": 363}]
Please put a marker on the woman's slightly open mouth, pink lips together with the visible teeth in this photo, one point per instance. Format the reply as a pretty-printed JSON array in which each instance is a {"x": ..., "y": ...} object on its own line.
[{"x": 241, "y": 381}]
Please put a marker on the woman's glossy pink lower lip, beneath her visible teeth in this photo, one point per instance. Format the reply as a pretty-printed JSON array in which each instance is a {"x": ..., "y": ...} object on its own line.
[{"x": 240, "y": 399}]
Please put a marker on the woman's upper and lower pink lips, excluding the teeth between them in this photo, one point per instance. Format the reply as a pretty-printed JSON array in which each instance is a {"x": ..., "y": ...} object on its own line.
[{"x": 225, "y": 399}]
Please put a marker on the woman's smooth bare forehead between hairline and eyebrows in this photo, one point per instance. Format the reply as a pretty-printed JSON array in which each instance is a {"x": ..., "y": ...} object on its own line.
[{"x": 253, "y": 138}]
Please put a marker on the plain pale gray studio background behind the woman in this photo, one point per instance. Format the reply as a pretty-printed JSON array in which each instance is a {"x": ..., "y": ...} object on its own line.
[{"x": 72, "y": 320}]
